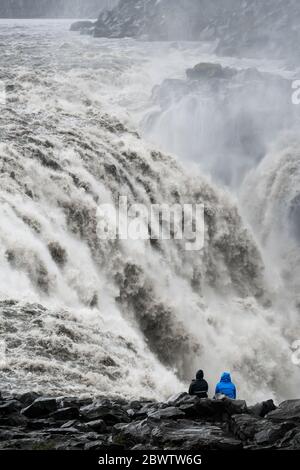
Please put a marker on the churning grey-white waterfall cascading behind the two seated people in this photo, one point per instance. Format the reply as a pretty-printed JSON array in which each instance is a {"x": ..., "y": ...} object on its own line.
[{"x": 113, "y": 316}]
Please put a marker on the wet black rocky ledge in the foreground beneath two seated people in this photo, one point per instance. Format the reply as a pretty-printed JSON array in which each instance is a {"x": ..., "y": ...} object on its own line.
[{"x": 33, "y": 422}]
